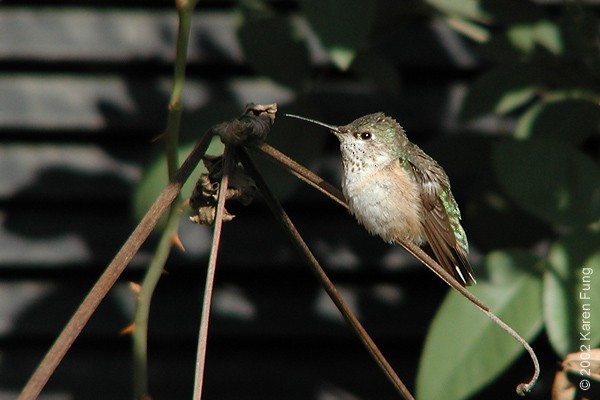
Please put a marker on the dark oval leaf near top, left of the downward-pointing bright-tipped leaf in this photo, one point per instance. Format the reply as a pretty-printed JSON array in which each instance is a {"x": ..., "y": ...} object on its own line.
[{"x": 273, "y": 48}]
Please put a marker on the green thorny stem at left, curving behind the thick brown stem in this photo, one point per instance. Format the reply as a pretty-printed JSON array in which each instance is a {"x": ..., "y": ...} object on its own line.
[{"x": 144, "y": 299}]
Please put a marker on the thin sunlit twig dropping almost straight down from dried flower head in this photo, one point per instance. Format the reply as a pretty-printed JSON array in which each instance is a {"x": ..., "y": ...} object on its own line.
[{"x": 210, "y": 276}]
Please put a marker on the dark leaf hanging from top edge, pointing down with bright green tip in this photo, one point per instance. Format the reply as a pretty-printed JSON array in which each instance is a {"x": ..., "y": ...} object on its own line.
[{"x": 342, "y": 29}]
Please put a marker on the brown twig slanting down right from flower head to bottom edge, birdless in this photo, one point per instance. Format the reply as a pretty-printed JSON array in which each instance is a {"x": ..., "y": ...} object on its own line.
[{"x": 329, "y": 287}]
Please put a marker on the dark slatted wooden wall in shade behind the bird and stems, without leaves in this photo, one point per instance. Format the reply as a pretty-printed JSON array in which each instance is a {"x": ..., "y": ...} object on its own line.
[{"x": 83, "y": 91}]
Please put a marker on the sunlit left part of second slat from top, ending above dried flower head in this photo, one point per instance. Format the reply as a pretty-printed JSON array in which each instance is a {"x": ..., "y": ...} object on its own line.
[{"x": 95, "y": 102}]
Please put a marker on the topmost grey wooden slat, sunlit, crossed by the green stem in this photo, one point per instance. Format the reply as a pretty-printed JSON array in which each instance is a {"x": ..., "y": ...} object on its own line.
[{"x": 112, "y": 35}]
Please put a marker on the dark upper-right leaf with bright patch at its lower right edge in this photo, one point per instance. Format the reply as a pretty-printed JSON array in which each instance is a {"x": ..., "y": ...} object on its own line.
[{"x": 500, "y": 90}]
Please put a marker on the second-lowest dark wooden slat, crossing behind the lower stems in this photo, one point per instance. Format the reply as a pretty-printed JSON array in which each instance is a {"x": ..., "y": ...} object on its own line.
[{"x": 264, "y": 307}]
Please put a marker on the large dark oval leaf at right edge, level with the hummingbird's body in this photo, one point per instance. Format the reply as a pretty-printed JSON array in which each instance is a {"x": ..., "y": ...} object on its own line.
[{"x": 549, "y": 179}]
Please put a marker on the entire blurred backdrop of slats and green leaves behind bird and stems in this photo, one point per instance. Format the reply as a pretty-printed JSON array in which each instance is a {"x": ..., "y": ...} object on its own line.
[{"x": 503, "y": 93}]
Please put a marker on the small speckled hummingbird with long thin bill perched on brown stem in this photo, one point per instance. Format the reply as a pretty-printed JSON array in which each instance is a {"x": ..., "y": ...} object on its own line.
[{"x": 398, "y": 192}]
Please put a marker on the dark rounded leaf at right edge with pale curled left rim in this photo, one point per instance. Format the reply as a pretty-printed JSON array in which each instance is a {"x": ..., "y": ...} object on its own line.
[{"x": 569, "y": 119}]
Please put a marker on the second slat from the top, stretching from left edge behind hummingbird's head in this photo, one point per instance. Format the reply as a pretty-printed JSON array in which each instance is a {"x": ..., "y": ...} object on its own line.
[{"x": 130, "y": 107}]
